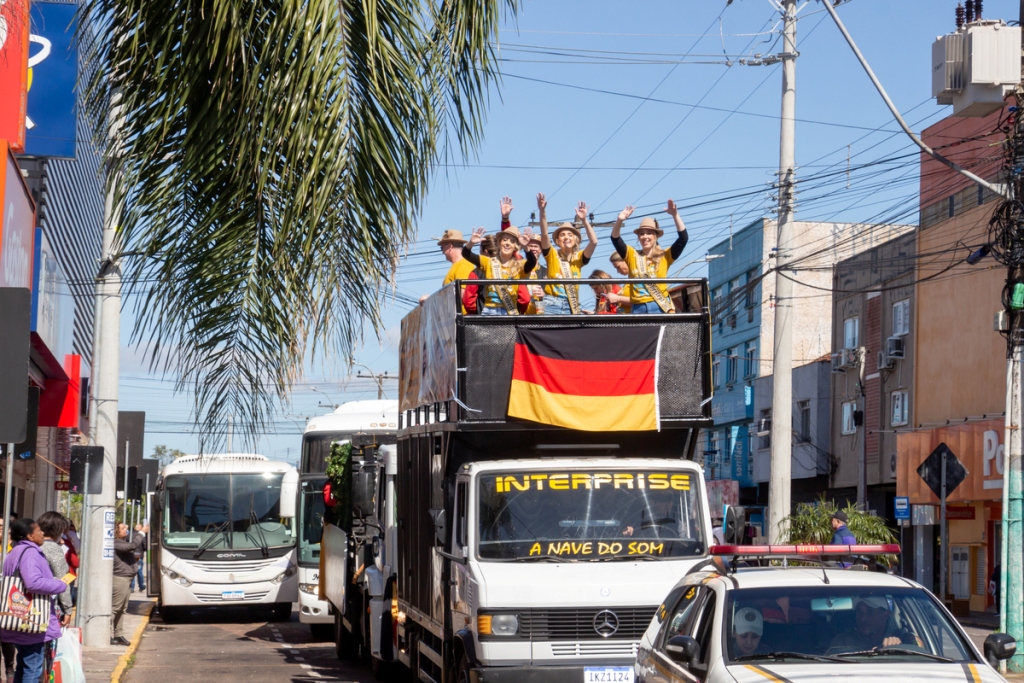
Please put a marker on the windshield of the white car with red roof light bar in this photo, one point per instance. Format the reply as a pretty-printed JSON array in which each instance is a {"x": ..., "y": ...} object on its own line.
[{"x": 847, "y": 624}]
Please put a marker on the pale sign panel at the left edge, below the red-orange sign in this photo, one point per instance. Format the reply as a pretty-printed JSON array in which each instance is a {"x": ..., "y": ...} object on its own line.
[{"x": 17, "y": 225}]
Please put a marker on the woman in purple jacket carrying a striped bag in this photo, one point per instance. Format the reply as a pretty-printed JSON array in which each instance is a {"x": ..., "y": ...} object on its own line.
[{"x": 27, "y": 561}]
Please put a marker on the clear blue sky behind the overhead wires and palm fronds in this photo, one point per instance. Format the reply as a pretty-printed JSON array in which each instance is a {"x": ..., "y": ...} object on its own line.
[{"x": 596, "y": 104}]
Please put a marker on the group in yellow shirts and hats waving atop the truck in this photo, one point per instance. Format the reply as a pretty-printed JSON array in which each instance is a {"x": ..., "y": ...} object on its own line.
[{"x": 517, "y": 257}]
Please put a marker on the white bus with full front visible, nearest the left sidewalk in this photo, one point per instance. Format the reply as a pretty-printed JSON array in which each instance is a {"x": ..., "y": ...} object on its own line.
[{"x": 223, "y": 534}]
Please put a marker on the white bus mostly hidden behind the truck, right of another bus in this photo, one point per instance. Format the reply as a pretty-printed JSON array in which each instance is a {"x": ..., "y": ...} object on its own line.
[{"x": 363, "y": 423}]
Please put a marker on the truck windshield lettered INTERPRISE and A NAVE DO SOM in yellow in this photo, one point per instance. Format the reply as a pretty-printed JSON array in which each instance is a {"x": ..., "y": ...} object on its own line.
[{"x": 594, "y": 516}]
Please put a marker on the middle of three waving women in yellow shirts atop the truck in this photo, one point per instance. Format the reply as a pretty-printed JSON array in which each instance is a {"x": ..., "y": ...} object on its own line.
[{"x": 565, "y": 260}]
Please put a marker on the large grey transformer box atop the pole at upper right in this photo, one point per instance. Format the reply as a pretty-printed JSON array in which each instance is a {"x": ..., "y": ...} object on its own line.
[{"x": 976, "y": 68}]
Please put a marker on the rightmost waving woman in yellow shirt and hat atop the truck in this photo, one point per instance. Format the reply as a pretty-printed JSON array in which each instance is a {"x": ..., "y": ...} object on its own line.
[{"x": 651, "y": 262}]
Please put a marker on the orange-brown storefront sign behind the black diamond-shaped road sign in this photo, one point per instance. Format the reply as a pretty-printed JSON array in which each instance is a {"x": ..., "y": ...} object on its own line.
[{"x": 977, "y": 446}]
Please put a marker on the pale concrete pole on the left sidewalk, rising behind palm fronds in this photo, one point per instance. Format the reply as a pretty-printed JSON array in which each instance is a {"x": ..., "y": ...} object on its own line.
[{"x": 98, "y": 565}]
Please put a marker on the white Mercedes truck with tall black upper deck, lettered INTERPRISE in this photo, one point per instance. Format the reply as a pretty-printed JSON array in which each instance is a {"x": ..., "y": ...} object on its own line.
[{"x": 517, "y": 550}]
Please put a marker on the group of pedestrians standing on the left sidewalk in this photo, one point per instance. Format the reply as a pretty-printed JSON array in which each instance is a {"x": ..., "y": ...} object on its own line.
[{"x": 45, "y": 554}]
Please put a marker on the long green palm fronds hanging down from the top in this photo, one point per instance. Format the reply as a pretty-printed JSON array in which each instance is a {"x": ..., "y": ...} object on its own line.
[{"x": 271, "y": 160}]
